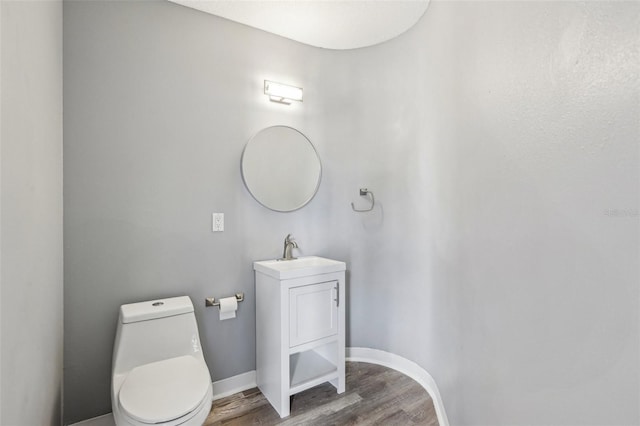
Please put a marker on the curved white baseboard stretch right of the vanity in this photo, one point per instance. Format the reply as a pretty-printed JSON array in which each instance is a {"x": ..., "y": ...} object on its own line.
[{"x": 403, "y": 365}]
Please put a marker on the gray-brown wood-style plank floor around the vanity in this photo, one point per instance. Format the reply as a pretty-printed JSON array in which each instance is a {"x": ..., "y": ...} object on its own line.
[{"x": 375, "y": 395}]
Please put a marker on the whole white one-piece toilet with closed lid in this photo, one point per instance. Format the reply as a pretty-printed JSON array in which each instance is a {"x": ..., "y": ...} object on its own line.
[{"x": 159, "y": 375}]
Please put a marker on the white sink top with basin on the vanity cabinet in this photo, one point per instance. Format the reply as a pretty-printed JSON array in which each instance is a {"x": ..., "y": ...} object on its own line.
[{"x": 300, "y": 267}]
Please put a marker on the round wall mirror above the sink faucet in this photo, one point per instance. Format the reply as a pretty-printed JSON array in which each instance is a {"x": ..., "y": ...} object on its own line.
[{"x": 281, "y": 168}]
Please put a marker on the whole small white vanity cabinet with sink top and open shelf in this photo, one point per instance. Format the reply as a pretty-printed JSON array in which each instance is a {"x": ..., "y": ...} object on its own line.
[{"x": 300, "y": 327}]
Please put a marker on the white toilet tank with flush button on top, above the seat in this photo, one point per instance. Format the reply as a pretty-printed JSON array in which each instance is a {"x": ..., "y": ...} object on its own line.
[{"x": 155, "y": 330}]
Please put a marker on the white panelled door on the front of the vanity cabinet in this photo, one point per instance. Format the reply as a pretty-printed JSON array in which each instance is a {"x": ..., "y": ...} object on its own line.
[{"x": 313, "y": 311}]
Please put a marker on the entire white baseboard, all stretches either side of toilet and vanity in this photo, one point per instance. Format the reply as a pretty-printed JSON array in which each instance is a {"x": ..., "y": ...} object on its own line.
[{"x": 244, "y": 381}]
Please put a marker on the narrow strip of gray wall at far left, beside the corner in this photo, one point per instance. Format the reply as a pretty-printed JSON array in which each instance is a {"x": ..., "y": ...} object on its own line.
[{"x": 31, "y": 213}]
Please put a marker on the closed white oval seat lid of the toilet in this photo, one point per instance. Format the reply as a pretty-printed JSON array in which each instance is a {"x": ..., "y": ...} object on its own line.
[{"x": 166, "y": 390}]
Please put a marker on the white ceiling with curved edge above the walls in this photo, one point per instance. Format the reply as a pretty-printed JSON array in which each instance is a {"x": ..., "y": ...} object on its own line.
[{"x": 331, "y": 24}]
